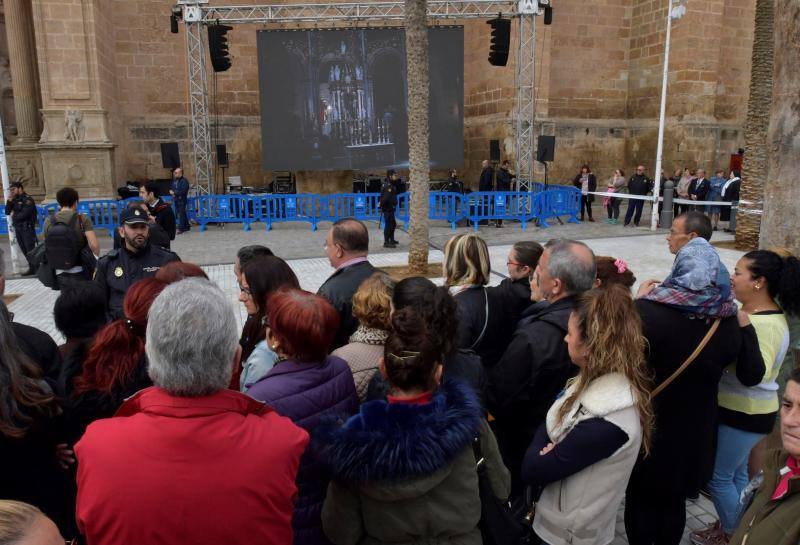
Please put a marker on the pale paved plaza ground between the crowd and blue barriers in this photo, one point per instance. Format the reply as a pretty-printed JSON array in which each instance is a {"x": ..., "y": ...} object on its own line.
[{"x": 215, "y": 249}]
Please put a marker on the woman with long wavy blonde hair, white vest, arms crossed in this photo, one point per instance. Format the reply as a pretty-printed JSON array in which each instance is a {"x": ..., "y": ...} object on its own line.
[{"x": 584, "y": 453}]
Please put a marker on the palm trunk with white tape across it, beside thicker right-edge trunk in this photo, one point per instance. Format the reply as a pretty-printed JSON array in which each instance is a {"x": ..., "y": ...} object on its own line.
[{"x": 755, "y": 167}]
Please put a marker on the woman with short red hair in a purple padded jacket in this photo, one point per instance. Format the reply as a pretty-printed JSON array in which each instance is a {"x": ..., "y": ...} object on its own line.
[{"x": 306, "y": 384}]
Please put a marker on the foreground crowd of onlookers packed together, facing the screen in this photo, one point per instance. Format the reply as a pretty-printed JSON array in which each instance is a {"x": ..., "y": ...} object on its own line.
[{"x": 400, "y": 411}]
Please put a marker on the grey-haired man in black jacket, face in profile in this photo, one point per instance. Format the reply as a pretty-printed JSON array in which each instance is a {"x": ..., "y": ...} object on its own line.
[{"x": 536, "y": 364}]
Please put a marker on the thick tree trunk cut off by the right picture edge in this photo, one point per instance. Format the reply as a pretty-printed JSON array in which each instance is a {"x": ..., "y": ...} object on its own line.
[{"x": 782, "y": 192}]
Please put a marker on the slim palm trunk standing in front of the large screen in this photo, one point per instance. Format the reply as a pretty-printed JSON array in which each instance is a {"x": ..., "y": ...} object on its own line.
[{"x": 419, "y": 172}]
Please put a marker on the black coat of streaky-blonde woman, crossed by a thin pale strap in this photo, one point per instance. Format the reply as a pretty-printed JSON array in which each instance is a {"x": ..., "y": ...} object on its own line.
[{"x": 471, "y": 307}]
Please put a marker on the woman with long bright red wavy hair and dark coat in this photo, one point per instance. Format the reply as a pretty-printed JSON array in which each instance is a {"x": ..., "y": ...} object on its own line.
[{"x": 114, "y": 367}]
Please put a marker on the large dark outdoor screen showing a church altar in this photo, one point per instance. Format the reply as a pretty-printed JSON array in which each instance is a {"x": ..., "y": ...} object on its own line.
[{"x": 337, "y": 100}]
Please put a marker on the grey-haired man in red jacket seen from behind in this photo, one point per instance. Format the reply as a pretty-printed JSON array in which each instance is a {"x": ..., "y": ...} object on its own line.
[{"x": 162, "y": 463}]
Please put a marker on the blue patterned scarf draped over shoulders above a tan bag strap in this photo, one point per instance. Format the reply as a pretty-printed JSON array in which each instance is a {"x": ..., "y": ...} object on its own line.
[{"x": 698, "y": 284}]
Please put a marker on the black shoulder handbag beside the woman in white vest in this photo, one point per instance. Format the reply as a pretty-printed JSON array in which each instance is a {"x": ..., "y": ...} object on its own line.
[{"x": 498, "y": 525}]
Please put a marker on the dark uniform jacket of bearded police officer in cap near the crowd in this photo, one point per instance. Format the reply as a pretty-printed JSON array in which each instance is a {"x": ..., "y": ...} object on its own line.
[{"x": 119, "y": 269}]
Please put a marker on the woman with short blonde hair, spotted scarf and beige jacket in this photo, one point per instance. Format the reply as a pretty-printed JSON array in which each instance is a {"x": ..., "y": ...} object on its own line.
[{"x": 372, "y": 306}]
